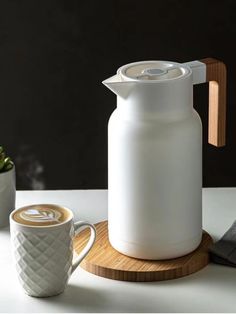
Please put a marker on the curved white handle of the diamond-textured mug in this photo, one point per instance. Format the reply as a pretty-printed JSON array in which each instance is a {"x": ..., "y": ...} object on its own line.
[{"x": 87, "y": 248}]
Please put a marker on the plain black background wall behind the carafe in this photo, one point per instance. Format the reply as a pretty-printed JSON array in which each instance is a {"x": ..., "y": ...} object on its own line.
[{"x": 54, "y": 55}]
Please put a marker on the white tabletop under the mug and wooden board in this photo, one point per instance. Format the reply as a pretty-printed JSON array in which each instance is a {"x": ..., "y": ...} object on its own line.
[{"x": 212, "y": 289}]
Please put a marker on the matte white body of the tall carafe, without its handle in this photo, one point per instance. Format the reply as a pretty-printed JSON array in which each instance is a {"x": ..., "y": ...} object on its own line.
[{"x": 155, "y": 167}]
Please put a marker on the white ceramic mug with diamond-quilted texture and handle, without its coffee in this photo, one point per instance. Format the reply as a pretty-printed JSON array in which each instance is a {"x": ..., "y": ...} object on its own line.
[{"x": 43, "y": 254}]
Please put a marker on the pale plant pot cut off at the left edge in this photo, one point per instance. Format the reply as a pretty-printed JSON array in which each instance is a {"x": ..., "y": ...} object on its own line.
[{"x": 7, "y": 195}]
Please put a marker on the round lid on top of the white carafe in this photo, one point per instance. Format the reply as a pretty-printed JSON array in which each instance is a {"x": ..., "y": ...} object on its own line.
[{"x": 153, "y": 71}]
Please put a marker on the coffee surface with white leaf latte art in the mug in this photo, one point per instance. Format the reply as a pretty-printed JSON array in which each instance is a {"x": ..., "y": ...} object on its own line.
[{"x": 41, "y": 215}]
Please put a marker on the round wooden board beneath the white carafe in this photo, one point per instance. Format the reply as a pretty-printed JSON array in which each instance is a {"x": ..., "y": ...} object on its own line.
[{"x": 105, "y": 261}]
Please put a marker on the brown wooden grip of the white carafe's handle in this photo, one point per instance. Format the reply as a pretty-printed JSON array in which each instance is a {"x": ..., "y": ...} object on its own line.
[{"x": 216, "y": 76}]
